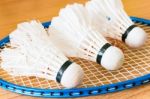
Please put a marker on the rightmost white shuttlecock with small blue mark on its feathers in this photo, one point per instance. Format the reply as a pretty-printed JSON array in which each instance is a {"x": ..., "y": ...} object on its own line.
[{"x": 110, "y": 15}]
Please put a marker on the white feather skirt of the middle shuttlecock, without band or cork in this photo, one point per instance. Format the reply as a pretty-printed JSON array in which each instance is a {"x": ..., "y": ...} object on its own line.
[{"x": 73, "y": 33}]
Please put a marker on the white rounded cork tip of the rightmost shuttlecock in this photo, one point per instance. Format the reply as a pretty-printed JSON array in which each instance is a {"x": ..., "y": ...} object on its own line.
[{"x": 136, "y": 38}]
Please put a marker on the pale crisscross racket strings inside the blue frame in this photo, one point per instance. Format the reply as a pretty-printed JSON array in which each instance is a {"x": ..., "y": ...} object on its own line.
[{"x": 136, "y": 65}]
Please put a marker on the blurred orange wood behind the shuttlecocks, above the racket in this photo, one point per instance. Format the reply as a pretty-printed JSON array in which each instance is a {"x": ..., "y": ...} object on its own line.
[{"x": 15, "y": 11}]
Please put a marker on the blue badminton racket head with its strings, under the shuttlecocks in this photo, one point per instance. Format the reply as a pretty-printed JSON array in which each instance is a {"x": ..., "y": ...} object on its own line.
[{"x": 135, "y": 72}]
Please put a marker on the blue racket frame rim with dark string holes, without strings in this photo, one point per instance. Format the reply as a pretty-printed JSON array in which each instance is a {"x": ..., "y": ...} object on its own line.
[{"x": 76, "y": 92}]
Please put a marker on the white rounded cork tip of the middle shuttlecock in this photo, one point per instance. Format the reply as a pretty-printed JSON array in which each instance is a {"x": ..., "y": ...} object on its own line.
[{"x": 112, "y": 59}]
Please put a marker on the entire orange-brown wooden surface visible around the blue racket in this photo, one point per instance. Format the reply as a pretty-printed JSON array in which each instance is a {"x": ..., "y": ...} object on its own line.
[{"x": 15, "y": 11}]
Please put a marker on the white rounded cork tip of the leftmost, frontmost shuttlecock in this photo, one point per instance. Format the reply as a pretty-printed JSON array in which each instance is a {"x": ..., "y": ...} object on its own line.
[{"x": 73, "y": 76}]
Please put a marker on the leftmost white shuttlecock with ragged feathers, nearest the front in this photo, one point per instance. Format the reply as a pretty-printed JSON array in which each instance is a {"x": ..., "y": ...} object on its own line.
[{"x": 33, "y": 54}]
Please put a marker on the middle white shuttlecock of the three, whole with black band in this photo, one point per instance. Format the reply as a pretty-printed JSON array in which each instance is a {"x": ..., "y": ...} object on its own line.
[{"x": 72, "y": 32}]
